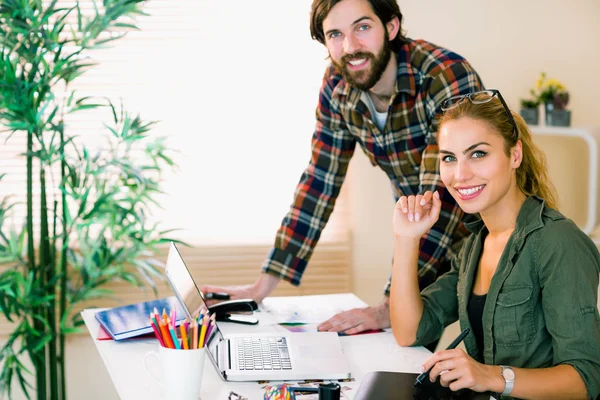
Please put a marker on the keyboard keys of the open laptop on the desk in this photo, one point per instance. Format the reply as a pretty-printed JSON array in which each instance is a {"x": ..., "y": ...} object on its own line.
[{"x": 263, "y": 354}]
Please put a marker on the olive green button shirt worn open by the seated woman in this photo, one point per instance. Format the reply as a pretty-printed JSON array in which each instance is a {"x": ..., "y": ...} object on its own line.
[{"x": 541, "y": 308}]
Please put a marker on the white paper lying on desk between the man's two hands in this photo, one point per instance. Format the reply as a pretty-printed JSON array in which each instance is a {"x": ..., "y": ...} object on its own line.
[{"x": 307, "y": 309}]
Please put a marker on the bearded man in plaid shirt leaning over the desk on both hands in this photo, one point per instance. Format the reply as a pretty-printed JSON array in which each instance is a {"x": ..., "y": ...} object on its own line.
[{"x": 381, "y": 91}]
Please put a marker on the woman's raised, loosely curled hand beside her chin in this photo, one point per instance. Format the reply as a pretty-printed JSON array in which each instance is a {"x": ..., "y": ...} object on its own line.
[{"x": 415, "y": 215}]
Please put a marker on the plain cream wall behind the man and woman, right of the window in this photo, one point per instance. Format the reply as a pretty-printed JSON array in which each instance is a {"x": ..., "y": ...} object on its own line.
[{"x": 509, "y": 43}]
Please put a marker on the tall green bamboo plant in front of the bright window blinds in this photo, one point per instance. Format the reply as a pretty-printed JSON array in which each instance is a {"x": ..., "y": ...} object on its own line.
[{"x": 93, "y": 204}]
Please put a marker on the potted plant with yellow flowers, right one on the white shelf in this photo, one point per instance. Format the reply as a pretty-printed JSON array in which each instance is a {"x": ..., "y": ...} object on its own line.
[{"x": 555, "y": 97}]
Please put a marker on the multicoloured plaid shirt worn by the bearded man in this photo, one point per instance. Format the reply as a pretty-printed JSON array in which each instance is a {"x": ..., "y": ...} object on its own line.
[{"x": 406, "y": 151}]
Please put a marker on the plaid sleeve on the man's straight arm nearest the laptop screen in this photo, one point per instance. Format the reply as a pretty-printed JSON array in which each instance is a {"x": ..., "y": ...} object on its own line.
[{"x": 316, "y": 193}]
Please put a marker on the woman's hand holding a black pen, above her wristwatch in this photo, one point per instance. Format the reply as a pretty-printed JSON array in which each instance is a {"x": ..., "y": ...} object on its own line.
[{"x": 457, "y": 370}]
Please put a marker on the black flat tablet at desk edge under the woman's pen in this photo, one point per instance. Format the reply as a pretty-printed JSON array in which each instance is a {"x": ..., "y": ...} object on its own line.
[{"x": 383, "y": 385}]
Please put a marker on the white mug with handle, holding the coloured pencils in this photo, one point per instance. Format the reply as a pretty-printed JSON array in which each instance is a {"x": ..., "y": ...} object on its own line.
[{"x": 181, "y": 371}]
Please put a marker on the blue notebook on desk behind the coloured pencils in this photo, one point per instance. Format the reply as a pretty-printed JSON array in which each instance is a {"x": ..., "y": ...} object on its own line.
[{"x": 133, "y": 320}]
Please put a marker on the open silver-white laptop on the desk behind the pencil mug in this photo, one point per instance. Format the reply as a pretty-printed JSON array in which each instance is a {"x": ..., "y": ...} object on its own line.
[{"x": 259, "y": 356}]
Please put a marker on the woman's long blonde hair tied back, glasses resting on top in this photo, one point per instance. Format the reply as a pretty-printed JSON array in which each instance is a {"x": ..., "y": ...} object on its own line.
[{"x": 532, "y": 174}]
